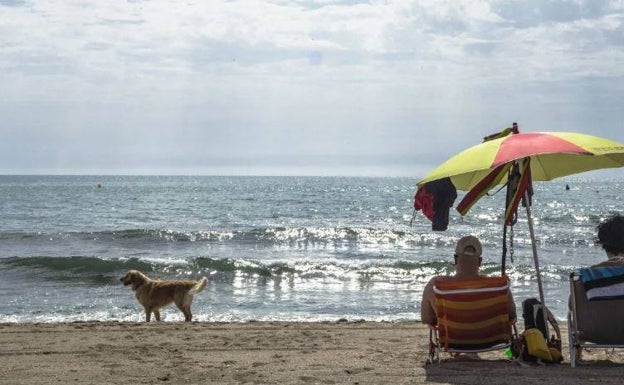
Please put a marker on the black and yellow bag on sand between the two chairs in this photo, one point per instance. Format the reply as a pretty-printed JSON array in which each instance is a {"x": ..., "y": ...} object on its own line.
[{"x": 536, "y": 345}]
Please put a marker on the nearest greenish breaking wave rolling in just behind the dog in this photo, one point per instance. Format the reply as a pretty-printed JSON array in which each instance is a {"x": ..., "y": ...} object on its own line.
[{"x": 102, "y": 270}]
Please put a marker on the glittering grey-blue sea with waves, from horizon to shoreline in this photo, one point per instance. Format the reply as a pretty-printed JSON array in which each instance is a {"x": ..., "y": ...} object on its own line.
[{"x": 273, "y": 248}]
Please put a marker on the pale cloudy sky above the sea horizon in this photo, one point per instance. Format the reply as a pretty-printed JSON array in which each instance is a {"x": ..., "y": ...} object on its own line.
[{"x": 286, "y": 87}]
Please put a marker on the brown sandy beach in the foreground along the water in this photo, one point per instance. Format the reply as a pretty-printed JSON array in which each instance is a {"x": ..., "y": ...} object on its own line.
[{"x": 262, "y": 353}]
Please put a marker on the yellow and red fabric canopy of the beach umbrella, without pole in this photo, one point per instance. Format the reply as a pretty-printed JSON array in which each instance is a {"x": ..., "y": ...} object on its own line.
[{"x": 553, "y": 155}]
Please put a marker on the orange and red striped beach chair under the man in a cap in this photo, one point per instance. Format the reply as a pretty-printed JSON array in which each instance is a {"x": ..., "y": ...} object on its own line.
[{"x": 473, "y": 316}]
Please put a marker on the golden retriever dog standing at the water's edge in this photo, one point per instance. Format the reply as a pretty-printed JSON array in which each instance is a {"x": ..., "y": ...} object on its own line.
[{"x": 154, "y": 294}]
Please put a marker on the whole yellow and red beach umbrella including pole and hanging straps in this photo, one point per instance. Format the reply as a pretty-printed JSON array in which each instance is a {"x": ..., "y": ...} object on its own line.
[{"x": 516, "y": 159}]
